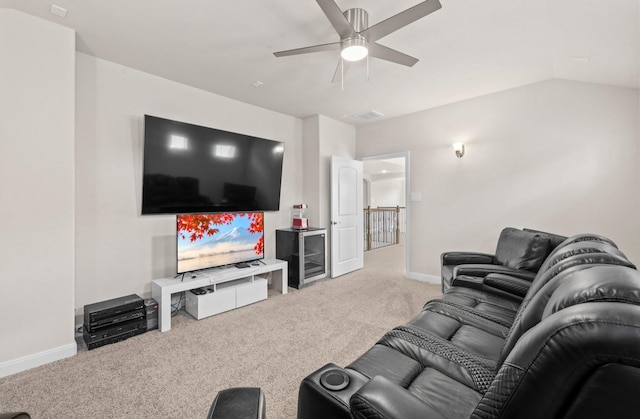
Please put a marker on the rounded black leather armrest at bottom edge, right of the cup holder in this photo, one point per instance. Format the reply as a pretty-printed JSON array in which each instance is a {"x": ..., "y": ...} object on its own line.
[{"x": 382, "y": 399}]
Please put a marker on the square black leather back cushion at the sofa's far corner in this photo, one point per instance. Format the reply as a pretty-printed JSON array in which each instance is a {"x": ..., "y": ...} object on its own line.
[{"x": 519, "y": 249}]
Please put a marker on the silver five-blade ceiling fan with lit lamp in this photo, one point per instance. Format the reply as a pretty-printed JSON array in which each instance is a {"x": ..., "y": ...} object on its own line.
[{"x": 358, "y": 40}]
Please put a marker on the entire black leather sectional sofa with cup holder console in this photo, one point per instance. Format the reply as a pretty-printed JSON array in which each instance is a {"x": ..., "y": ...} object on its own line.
[{"x": 563, "y": 344}]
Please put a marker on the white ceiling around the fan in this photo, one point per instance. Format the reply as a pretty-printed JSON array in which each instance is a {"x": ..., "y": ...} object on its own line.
[{"x": 466, "y": 49}]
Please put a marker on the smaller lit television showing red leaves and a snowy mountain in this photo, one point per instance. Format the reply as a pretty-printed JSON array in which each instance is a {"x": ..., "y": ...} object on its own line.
[{"x": 211, "y": 240}]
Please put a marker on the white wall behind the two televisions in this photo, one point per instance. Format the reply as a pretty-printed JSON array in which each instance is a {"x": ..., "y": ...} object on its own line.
[{"x": 118, "y": 251}]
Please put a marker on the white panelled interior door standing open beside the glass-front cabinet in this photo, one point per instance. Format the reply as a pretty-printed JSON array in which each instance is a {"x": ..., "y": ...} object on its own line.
[{"x": 347, "y": 230}]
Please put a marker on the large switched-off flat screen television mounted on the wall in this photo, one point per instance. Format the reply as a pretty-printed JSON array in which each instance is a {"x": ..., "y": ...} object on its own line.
[{"x": 193, "y": 169}]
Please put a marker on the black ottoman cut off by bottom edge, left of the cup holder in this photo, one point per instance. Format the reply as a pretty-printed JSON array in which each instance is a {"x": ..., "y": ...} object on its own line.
[{"x": 238, "y": 403}]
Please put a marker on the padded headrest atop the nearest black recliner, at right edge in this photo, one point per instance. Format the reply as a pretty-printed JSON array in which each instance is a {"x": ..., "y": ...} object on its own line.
[{"x": 600, "y": 283}]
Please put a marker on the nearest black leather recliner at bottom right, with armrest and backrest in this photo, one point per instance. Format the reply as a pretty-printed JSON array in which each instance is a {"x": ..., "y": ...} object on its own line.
[{"x": 580, "y": 361}]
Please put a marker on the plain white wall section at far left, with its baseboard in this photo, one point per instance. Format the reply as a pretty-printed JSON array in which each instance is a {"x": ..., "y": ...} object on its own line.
[{"x": 36, "y": 191}]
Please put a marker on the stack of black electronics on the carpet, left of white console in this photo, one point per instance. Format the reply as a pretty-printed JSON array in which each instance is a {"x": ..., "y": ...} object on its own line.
[{"x": 114, "y": 320}]
